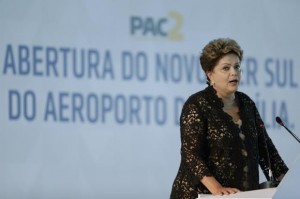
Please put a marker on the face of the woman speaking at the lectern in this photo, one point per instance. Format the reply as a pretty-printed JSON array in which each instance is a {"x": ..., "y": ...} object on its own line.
[{"x": 226, "y": 75}]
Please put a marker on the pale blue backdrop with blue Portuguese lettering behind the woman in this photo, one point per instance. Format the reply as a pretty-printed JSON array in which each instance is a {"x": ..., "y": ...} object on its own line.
[{"x": 91, "y": 91}]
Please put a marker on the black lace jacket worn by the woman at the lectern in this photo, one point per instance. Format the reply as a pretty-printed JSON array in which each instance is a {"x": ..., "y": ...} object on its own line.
[{"x": 212, "y": 144}]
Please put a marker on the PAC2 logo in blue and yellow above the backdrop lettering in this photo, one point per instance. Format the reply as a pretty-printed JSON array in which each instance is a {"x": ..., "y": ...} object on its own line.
[{"x": 168, "y": 28}]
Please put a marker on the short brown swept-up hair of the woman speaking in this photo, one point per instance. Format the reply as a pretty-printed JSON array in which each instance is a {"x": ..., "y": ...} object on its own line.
[{"x": 216, "y": 49}]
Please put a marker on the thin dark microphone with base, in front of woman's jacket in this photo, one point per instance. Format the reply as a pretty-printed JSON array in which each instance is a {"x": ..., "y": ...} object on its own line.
[{"x": 271, "y": 183}]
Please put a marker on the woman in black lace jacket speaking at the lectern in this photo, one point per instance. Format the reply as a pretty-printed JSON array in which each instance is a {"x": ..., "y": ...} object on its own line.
[{"x": 222, "y": 134}]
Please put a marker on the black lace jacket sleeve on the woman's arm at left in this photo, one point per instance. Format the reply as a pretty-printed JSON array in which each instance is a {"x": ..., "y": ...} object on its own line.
[{"x": 193, "y": 141}]
